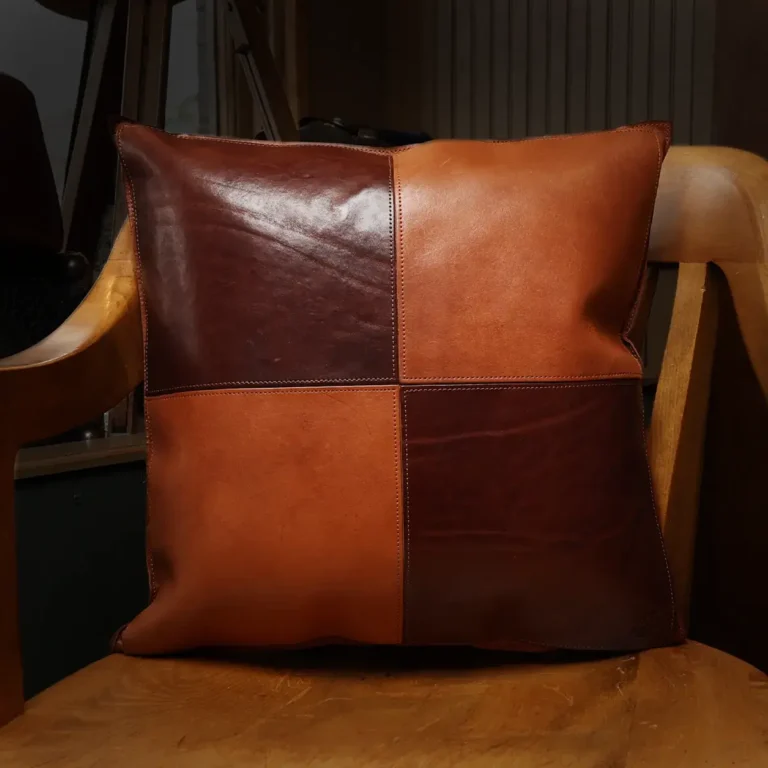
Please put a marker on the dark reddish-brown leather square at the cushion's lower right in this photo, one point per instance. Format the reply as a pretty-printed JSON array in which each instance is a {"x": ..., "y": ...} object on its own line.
[{"x": 530, "y": 518}]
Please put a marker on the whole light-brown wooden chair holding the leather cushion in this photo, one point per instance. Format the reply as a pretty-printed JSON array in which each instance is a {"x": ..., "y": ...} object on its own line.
[{"x": 686, "y": 707}]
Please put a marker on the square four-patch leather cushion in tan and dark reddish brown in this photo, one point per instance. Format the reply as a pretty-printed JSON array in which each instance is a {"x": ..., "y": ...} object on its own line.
[{"x": 391, "y": 395}]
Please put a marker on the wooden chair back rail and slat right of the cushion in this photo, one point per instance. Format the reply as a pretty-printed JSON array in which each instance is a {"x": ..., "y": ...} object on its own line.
[{"x": 711, "y": 217}]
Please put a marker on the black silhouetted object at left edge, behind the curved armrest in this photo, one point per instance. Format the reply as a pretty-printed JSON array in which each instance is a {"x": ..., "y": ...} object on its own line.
[{"x": 39, "y": 285}]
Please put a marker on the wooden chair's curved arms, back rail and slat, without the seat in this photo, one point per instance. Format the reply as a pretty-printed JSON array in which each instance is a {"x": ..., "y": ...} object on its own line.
[{"x": 711, "y": 218}]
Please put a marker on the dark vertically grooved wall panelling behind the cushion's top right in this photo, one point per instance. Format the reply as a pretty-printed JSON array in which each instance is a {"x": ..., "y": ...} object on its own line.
[{"x": 512, "y": 68}]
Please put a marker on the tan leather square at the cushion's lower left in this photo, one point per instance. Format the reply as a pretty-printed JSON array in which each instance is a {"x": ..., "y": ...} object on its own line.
[{"x": 274, "y": 519}]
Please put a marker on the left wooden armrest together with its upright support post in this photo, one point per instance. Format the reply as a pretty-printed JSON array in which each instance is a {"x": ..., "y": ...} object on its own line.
[{"x": 83, "y": 368}]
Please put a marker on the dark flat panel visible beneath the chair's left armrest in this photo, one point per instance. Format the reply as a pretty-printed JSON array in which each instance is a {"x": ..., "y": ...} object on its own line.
[{"x": 72, "y": 556}]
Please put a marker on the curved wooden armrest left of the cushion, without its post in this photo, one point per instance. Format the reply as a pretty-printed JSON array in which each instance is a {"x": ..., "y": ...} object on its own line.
[{"x": 85, "y": 366}]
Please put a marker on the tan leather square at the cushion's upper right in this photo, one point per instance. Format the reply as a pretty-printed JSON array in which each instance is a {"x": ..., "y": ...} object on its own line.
[{"x": 488, "y": 233}]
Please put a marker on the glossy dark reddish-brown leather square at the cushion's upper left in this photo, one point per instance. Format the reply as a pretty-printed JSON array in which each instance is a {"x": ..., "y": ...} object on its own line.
[{"x": 261, "y": 263}]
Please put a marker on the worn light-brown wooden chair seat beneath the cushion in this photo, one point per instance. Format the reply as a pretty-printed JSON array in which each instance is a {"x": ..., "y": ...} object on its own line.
[{"x": 677, "y": 707}]
